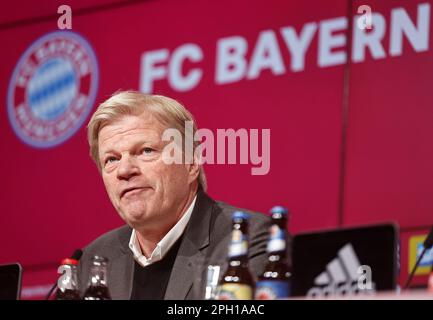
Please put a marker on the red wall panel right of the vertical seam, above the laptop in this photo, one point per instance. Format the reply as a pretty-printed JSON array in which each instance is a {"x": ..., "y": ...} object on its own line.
[{"x": 389, "y": 172}]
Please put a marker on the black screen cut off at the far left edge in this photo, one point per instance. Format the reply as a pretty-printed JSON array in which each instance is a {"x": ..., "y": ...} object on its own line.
[{"x": 10, "y": 281}]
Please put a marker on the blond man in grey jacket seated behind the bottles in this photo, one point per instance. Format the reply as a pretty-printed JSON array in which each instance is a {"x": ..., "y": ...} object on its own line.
[{"x": 173, "y": 230}]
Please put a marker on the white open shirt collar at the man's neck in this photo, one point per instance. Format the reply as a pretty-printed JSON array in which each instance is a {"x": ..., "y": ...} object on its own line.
[{"x": 165, "y": 244}]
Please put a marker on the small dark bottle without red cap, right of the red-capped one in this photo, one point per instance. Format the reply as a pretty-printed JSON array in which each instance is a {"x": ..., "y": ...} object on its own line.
[{"x": 97, "y": 288}]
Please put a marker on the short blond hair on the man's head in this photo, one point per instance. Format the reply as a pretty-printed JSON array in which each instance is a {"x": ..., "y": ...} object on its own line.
[{"x": 124, "y": 103}]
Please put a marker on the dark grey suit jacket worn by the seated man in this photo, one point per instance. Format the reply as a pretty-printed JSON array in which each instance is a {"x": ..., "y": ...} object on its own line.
[{"x": 205, "y": 242}]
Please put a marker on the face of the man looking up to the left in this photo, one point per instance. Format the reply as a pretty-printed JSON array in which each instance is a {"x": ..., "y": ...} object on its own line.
[{"x": 147, "y": 193}]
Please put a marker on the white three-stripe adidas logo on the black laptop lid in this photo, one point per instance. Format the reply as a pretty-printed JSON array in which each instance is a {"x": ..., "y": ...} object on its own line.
[{"x": 341, "y": 276}]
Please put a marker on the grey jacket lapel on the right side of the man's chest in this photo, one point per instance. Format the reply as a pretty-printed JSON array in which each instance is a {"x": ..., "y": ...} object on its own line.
[{"x": 190, "y": 258}]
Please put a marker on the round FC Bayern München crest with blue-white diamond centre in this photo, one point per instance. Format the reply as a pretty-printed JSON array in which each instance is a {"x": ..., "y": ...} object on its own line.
[{"x": 52, "y": 89}]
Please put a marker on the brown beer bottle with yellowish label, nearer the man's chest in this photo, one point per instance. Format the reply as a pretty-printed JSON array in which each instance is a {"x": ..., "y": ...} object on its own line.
[{"x": 237, "y": 282}]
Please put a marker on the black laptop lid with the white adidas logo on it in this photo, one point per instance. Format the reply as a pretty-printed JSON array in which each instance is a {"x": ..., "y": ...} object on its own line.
[{"x": 345, "y": 261}]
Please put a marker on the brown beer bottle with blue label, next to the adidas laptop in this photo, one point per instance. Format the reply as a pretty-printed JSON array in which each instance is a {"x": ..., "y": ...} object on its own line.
[{"x": 274, "y": 282}]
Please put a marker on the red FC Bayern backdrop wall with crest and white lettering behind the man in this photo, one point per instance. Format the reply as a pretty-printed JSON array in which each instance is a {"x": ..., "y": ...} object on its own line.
[{"x": 350, "y": 112}]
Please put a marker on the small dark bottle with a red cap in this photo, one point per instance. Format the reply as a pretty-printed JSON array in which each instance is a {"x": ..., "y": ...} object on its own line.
[{"x": 67, "y": 285}]
